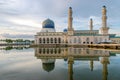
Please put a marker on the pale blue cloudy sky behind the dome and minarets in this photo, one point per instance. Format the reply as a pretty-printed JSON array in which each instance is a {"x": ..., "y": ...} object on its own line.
[{"x": 23, "y": 18}]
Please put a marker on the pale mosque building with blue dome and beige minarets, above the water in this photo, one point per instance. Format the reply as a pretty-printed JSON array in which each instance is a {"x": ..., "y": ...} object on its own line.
[{"x": 48, "y": 34}]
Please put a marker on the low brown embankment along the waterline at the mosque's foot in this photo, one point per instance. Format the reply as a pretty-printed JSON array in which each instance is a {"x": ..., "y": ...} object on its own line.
[{"x": 101, "y": 46}]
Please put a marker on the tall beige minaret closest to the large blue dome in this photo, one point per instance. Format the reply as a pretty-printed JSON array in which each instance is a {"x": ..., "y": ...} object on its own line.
[{"x": 70, "y": 29}]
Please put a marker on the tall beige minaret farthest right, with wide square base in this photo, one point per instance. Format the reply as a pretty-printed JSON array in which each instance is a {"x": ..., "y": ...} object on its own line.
[{"x": 104, "y": 28}]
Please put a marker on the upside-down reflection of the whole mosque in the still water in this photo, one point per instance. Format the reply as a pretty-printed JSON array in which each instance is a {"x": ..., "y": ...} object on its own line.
[{"x": 48, "y": 56}]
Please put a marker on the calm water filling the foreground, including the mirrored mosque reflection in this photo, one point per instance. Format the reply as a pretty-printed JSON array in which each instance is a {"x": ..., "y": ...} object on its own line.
[{"x": 59, "y": 64}]
